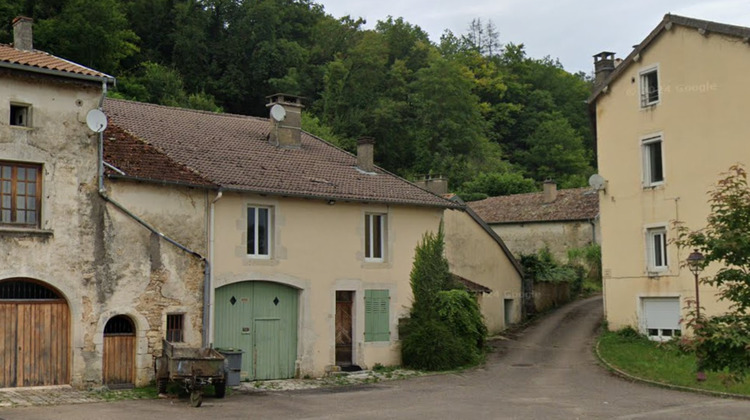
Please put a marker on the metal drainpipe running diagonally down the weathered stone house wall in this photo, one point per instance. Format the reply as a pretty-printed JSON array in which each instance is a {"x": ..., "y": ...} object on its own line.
[{"x": 103, "y": 194}]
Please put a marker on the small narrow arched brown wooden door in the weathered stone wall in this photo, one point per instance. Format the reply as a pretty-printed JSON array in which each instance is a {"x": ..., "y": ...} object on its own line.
[{"x": 118, "y": 369}]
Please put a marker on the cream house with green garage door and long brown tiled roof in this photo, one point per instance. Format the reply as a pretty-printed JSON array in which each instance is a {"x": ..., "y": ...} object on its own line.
[{"x": 309, "y": 247}]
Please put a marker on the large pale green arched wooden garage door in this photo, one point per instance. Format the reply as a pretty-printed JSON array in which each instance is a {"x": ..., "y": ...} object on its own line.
[{"x": 259, "y": 318}]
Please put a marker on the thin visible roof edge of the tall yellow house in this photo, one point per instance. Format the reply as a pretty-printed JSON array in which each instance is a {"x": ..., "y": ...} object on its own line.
[{"x": 706, "y": 26}]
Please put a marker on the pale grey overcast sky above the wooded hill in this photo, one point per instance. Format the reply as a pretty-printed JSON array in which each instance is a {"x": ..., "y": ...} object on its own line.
[{"x": 571, "y": 30}]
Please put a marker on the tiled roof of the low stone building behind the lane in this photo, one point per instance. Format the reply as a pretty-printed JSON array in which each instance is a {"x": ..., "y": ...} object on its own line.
[{"x": 570, "y": 204}]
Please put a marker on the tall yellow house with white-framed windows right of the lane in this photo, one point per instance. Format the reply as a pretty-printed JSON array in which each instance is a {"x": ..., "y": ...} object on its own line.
[{"x": 670, "y": 118}]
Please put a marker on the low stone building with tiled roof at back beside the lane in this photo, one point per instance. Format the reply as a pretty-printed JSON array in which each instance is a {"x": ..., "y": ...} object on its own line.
[{"x": 556, "y": 219}]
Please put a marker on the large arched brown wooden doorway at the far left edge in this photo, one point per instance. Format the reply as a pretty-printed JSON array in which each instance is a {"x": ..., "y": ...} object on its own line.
[{"x": 34, "y": 334}]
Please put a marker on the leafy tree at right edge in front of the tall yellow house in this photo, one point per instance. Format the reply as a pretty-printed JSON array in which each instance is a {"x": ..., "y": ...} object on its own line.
[{"x": 721, "y": 342}]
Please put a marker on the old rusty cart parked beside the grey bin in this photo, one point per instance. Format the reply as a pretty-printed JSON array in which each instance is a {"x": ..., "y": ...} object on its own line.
[{"x": 193, "y": 367}]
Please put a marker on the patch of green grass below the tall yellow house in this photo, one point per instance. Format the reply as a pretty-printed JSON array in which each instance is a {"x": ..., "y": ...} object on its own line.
[{"x": 660, "y": 362}]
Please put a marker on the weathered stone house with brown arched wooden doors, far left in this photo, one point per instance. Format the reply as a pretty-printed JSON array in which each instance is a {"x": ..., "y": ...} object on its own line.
[{"x": 86, "y": 293}]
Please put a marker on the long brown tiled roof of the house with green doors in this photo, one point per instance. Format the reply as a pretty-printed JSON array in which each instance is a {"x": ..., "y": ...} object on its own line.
[{"x": 232, "y": 152}]
